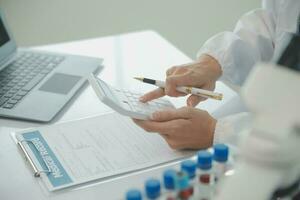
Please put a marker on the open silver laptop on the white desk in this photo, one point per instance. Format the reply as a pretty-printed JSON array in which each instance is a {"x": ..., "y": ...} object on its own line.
[{"x": 35, "y": 85}]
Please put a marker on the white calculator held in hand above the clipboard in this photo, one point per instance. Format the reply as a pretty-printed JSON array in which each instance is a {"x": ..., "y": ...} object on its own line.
[{"x": 126, "y": 102}]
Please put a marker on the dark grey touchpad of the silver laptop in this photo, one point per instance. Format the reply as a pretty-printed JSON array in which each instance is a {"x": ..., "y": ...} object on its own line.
[{"x": 60, "y": 83}]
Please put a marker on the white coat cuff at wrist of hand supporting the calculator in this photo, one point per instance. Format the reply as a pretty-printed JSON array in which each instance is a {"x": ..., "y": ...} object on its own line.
[{"x": 233, "y": 128}]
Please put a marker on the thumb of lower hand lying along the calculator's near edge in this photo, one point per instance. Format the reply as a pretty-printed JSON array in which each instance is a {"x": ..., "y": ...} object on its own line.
[{"x": 172, "y": 114}]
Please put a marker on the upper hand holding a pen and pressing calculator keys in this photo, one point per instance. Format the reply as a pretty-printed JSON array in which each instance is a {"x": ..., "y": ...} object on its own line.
[{"x": 202, "y": 73}]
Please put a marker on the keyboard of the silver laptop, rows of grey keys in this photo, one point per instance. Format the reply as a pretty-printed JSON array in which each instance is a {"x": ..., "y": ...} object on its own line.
[{"x": 25, "y": 72}]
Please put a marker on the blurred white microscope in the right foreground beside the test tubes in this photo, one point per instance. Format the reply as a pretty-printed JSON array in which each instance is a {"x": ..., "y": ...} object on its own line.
[{"x": 269, "y": 164}]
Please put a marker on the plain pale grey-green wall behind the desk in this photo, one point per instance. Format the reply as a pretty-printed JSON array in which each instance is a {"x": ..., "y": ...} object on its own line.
[{"x": 186, "y": 23}]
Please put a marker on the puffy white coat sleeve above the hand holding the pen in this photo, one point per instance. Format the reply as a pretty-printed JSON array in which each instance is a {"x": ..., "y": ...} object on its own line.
[{"x": 252, "y": 40}]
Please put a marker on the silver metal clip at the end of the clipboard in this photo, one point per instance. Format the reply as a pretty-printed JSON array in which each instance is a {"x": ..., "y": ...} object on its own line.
[{"x": 37, "y": 171}]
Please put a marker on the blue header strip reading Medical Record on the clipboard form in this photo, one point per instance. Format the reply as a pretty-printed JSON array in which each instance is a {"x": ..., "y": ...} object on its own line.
[{"x": 58, "y": 175}]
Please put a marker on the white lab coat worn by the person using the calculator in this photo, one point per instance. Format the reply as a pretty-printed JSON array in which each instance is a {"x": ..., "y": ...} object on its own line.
[{"x": 258, "y": 36}]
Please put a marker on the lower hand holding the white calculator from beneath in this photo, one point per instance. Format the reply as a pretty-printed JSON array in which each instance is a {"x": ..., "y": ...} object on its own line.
[{"x": 183, "y": 128}]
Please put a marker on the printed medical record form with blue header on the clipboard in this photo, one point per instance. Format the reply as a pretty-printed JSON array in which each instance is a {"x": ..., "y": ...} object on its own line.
[{"x": 94, "y": 148}]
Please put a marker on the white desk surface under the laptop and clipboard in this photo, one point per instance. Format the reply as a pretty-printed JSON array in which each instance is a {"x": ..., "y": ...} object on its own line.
[{"x": 125, "y": 56}]
